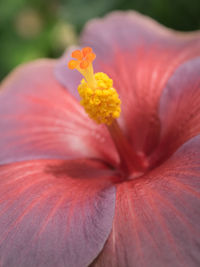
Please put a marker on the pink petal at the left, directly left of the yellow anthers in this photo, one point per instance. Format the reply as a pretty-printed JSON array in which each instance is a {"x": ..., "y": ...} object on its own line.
[{"x": 39, "y": 119}]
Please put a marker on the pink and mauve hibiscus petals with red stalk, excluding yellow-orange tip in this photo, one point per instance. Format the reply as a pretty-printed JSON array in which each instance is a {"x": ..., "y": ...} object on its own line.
[{"x": 77, "y": 193}]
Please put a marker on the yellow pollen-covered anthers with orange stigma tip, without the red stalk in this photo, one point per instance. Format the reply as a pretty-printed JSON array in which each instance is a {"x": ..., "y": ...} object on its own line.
[{"x": 98, "y": 97}]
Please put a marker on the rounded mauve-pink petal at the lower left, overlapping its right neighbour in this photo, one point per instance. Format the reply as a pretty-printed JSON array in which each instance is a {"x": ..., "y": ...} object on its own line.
[{"x": 54, "y": 212}]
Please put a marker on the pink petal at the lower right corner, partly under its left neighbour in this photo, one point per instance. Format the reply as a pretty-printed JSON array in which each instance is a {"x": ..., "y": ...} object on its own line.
[{"x": 157, "y": 216}]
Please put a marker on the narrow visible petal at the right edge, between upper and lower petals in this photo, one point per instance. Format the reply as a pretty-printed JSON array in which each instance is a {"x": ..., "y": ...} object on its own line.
[{"x": 180, "y": 109}]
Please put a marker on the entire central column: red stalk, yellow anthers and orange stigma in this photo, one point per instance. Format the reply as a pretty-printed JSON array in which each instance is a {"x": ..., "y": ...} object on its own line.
[{"x": 101, "y": 102}]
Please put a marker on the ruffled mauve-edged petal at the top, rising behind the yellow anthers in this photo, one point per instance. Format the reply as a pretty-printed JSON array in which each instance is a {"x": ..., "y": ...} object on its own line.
[{"x": 140, "y": 55}]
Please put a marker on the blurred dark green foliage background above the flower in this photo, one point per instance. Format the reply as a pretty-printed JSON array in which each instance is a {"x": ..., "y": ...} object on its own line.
[{"x": 30, "y": 29}]
